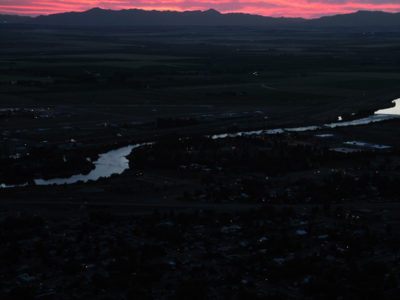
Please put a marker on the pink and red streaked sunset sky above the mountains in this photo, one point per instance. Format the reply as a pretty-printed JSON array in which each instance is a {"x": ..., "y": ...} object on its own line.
[{"x": 288, "y": 8}]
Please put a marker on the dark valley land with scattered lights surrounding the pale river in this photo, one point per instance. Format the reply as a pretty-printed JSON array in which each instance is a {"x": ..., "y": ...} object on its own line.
[{"x": 286, "y": 215}]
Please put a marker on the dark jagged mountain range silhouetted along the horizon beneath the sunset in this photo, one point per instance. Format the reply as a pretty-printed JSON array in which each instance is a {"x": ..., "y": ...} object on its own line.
[{"x": 138, "y": 17}]
